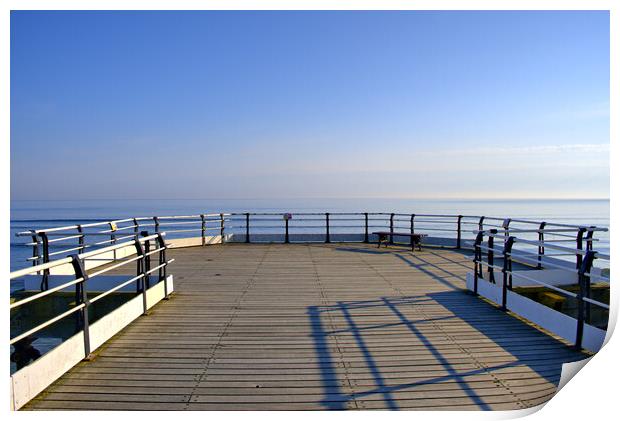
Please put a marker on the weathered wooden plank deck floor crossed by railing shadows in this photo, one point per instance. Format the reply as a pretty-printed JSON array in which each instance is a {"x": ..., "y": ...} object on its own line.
[{"x": 325, "y": 326}]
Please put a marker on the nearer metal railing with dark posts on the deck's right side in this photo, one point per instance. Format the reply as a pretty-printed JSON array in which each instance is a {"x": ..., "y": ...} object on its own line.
[{"x": 504, "y": 246}]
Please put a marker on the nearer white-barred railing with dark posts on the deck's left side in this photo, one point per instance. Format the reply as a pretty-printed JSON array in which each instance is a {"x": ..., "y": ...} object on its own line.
[{"x": 145, "y": 246}]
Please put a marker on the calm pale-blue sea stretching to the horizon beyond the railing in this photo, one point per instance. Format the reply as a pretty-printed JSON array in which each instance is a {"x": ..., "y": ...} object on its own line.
[{"x": 28, "y": 214}]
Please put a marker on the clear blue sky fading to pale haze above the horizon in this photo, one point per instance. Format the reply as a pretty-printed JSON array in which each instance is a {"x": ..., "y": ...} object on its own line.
[{"x": 309, "y": 104}]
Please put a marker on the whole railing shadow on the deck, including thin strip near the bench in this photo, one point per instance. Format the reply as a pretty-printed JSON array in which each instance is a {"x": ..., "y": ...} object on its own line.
[{"x": 517, "y": 343}]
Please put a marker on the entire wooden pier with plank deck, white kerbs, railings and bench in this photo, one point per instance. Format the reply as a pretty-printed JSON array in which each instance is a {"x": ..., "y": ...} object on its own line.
[{"x": 334, "y": 323}]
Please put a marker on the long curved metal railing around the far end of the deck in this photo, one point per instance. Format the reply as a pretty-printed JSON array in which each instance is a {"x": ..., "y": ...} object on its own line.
[{"x": 454, "y": 230}]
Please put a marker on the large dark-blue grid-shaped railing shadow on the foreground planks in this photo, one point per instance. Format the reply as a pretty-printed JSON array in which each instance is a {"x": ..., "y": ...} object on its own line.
[{"x": 477, "y": 314}]
